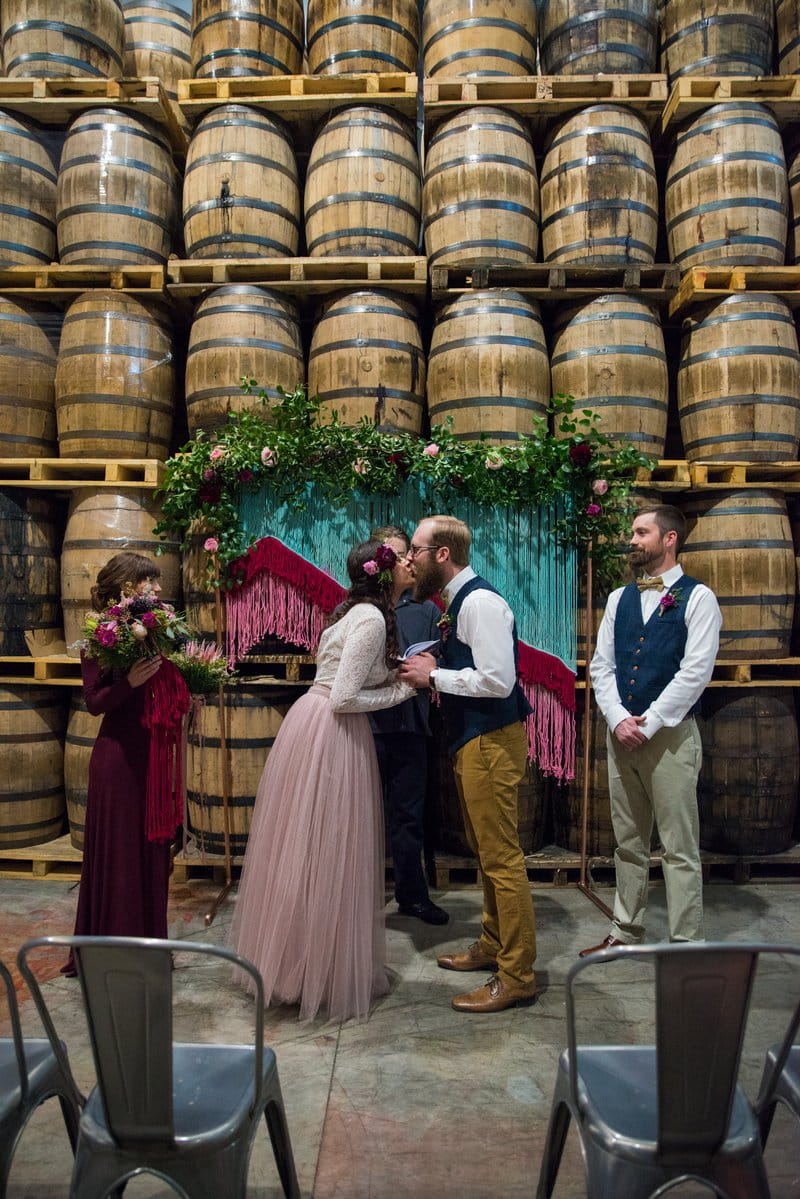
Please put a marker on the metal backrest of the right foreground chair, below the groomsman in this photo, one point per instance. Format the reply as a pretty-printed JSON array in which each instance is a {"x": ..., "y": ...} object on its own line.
[{"x": 702, "y": 1003}]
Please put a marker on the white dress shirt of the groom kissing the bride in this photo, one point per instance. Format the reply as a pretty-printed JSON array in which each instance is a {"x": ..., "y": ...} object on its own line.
[{"x": 485, "y": 624}]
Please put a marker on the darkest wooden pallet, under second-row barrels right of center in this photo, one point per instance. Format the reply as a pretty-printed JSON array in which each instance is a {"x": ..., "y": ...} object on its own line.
[{"x": 540, "y": 281}]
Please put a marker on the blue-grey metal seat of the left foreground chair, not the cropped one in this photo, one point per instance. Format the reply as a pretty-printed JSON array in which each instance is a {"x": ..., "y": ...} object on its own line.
[{"x": 213, "y": 1096}]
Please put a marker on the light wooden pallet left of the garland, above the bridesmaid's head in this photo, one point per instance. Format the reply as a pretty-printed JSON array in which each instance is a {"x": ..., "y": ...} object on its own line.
[{"x": 58, "y": 474}]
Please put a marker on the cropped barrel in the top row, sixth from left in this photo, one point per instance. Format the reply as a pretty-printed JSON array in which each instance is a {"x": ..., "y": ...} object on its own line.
[{"x": 582, "y": 38}]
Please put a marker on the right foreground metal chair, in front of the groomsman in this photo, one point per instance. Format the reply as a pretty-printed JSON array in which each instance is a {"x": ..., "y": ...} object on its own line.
[{"x": 649, "y": 1117}]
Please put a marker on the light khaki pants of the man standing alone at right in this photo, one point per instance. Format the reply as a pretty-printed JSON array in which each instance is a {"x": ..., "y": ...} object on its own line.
[{"x": 658, "y": 781}]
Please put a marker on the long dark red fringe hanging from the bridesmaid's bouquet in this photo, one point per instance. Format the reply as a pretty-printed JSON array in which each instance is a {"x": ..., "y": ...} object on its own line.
[{"x": 167, "y": 703}]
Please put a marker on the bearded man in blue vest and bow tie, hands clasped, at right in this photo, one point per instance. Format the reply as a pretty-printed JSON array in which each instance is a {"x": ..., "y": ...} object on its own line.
[{"x": 655, "y": 655}]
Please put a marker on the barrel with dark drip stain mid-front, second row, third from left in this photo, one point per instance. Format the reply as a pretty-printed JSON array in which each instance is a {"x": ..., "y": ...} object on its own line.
[{"x": 242, "y": 195}]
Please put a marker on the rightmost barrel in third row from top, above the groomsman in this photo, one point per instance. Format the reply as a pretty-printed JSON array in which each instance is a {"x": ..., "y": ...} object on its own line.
[{"x": 739, "y": 382}]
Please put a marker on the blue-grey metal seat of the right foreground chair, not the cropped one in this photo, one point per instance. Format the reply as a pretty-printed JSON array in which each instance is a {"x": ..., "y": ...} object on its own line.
[{"x": 619, "y": 1102}]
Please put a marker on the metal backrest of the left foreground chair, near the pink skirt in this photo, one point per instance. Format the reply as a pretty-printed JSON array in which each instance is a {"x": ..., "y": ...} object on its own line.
[{"x": 128, "y": 992}]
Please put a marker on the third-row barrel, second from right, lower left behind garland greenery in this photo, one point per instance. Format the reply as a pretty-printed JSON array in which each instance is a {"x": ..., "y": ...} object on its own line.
[{"x": 610, "y": 356}]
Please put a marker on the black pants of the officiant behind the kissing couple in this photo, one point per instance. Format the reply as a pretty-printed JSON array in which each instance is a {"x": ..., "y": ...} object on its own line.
[{"x": 404, "y": 762}]
